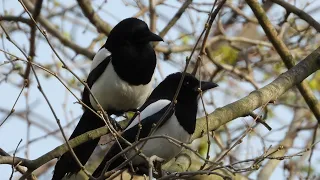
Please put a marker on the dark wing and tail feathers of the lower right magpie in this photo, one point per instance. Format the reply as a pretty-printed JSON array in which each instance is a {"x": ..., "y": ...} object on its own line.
[{"x": 130, "y": 135}]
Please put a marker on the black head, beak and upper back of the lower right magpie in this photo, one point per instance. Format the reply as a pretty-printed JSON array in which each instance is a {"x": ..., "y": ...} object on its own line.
[{"x": 189, "y": 90}]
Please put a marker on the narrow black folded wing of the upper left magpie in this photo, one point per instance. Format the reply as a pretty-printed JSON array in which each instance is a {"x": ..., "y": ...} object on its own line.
[{"x": 93, "y": 76}]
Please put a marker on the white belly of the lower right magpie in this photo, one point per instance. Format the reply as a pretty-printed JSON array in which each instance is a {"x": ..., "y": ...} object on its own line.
[{"x": 162, "y": 147}]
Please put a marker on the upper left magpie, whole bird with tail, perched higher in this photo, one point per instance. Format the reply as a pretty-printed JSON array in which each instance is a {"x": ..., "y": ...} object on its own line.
[{"x": 121, "y": 79}]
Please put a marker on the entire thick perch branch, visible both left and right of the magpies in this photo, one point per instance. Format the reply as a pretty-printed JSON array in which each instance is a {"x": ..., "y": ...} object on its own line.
[{"x": 219, "y": 117}]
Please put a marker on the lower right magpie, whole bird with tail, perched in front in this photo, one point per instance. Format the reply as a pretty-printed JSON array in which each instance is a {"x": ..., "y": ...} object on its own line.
[{"x": 178, "y": 123}]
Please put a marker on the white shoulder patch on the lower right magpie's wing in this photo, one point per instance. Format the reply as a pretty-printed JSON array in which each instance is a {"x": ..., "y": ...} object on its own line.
[{"x": 149, "y": 110}]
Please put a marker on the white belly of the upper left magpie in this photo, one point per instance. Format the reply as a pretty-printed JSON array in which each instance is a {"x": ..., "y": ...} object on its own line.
[{"x": 114, "y": 93}]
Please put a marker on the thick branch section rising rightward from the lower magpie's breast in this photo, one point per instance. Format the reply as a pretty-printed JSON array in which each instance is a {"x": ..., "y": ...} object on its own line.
[{"x": 262, "y": 96}]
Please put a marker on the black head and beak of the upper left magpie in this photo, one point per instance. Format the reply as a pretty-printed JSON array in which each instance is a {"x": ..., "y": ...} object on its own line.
[{"x": 131, "y": 31}]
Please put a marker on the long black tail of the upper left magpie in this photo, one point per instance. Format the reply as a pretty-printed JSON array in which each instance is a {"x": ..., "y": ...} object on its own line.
[{"x": 66, "y": 165}]
